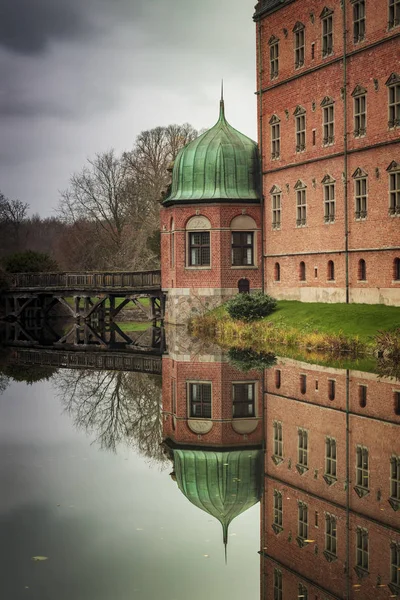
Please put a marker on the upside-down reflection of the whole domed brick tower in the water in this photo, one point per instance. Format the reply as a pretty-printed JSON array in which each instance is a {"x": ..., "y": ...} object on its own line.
[{"x": 212, "y": 428}]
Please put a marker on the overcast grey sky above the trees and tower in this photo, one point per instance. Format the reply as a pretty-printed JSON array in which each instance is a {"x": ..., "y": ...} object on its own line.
[{"x": 81, "y": 76}]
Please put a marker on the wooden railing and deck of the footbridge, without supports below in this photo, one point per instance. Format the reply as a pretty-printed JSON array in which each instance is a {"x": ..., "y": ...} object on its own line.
[{"x": 145, "y": 282}]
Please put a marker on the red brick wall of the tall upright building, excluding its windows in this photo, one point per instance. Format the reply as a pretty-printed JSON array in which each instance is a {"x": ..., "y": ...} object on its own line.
[{"x": 307, "y": 86}]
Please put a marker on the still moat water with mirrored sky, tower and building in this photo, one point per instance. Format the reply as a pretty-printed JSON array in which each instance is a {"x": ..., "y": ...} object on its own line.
[{"x": 94, "y": 505}]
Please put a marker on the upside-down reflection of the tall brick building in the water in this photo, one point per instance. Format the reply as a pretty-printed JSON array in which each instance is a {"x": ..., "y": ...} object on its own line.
[{"x": 330, "y": 515}]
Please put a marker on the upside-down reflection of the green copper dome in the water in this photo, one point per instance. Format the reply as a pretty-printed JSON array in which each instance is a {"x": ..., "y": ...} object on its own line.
[{"x": 223, "y": 484}]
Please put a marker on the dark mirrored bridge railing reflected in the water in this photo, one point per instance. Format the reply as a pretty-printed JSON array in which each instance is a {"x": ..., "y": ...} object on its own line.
[{"x": 73, "y": 359}]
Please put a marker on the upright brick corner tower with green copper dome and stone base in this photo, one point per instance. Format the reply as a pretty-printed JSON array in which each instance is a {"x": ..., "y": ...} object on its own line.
[{"x": 211, "y": 222}]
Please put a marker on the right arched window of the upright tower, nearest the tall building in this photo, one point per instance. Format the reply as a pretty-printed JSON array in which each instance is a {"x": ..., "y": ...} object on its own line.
[{"x": 243, "y": 234}]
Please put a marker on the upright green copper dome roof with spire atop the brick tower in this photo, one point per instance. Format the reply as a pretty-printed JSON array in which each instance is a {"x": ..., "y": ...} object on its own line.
[{"x": 221, "y": 164}]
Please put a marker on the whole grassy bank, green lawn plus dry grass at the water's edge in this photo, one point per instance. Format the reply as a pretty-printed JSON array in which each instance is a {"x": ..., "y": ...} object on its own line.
[{"x": 335, "y": 329}]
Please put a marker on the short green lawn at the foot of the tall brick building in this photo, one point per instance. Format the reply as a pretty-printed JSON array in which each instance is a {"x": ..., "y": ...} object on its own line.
[{"x": 362, "y": 320}]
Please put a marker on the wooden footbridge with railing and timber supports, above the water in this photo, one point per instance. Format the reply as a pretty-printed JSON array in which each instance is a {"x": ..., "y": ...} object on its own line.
[{"x": 92, "y": 293}]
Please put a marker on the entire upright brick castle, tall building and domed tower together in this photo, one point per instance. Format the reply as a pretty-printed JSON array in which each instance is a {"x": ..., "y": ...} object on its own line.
[{"x": 313, "y": 212}]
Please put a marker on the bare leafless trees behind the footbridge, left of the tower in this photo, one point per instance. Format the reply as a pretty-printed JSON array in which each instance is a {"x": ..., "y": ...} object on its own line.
[{"x": 108, "y": 217}]
